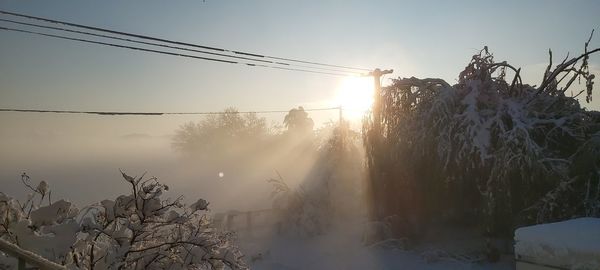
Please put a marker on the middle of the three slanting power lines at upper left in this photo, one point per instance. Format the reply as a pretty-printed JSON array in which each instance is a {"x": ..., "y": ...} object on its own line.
[{"x": 169, "y": 46}]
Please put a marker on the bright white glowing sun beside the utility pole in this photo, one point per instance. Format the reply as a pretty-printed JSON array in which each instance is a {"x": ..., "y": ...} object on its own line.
[{"x": 355, "y": 96}]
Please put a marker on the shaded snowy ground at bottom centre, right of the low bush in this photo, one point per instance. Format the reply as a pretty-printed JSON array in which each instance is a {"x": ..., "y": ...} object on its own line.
[{"x": 342, "y": 250}]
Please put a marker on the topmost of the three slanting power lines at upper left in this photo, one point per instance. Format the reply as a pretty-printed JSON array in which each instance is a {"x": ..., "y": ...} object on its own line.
[{"x": 178, "y": 42}]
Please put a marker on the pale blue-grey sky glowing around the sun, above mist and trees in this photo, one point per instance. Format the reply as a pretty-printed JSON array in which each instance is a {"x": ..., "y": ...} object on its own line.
[{"x": 414, "y": 38}]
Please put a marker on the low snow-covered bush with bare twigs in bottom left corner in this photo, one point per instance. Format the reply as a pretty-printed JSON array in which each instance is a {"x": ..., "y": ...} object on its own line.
[{"x": 140, "y": 230}]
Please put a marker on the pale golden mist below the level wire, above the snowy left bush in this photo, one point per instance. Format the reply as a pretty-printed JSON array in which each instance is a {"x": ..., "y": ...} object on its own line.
[{"x": 80, "y": 158}]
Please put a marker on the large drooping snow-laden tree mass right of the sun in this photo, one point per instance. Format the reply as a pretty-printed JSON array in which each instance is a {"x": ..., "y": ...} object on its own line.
[{"x": 485, "y": 149}]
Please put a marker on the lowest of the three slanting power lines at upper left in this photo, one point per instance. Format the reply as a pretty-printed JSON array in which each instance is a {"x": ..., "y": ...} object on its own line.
[{"x": 171, "y": 53}]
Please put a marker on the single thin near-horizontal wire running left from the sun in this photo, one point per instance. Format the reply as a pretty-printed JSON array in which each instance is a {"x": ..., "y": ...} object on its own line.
[{"x": 114, "y": 113}]
